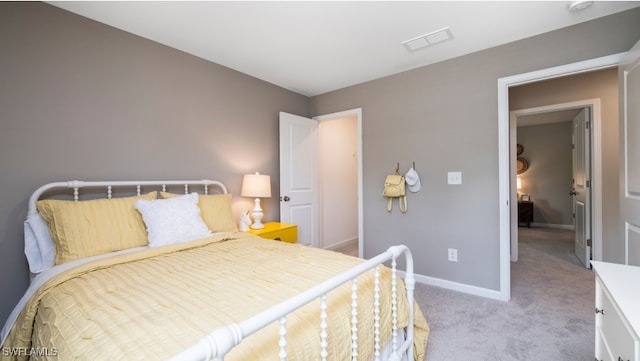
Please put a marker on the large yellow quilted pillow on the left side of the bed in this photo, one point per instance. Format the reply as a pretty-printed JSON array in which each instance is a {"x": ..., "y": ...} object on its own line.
[{"x": 88, "y": 228}]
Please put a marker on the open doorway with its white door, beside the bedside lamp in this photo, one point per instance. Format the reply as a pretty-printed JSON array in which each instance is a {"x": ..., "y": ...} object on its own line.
[{"x": 305, "y": 184}]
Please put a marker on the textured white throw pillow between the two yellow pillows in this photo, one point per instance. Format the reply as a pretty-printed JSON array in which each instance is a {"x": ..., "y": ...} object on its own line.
[{"x": 172, "y": 220}]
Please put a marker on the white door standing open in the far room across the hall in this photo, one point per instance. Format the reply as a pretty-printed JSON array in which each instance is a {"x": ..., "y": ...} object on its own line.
[{"x": 581, "y": 186}]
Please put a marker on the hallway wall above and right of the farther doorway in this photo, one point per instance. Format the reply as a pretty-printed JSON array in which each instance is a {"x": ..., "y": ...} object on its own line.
[{"x": 604, "y": 86}]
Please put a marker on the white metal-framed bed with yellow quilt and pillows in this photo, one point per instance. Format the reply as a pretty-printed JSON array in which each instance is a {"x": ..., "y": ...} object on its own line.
[{"x": 158, "y": 270}]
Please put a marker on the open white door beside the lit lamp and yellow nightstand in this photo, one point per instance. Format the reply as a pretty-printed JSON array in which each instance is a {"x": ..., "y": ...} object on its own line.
[{"x": 299, "y": 175}]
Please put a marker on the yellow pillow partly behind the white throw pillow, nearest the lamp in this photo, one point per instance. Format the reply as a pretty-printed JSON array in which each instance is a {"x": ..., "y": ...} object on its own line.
[{"x": 215, "y": 210}]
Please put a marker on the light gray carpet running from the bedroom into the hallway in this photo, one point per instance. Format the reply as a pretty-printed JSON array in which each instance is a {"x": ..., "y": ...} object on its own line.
[{"x": 550, "y": 316}]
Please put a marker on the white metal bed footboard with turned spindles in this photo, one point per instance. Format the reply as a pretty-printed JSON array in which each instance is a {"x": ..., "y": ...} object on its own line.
[{"x": 219, "y": 342}]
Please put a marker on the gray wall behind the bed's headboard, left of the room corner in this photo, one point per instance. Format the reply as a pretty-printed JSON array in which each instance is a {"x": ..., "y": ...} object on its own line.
[{"x": 80, "y": 100}]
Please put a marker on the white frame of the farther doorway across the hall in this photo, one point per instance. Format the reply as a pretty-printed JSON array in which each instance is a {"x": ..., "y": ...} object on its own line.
[{"x": 596, "y": 167}]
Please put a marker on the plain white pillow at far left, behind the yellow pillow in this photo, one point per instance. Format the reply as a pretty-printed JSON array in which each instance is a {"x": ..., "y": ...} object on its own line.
[{"x": 38, "y": 245}]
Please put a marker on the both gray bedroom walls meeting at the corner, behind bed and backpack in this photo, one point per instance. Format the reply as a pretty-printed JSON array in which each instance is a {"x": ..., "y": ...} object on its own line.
[{"x": 82, "y": 100}]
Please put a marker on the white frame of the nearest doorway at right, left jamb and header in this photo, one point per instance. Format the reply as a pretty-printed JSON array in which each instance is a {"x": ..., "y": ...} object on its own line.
[{"x": 504, "y": 168}]
